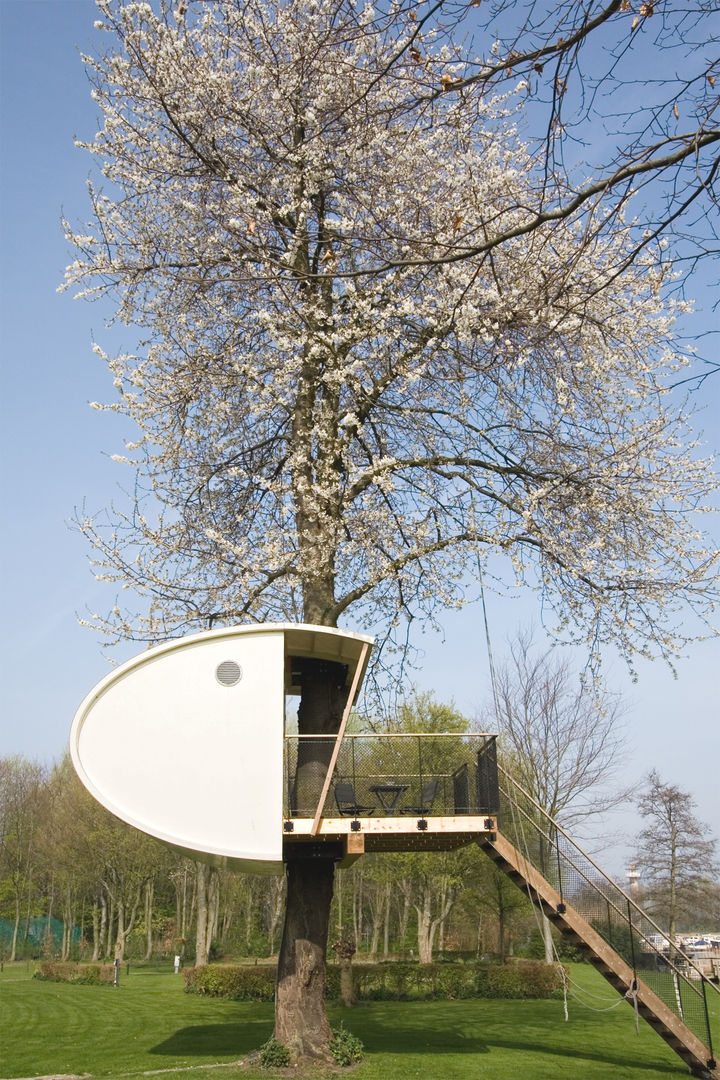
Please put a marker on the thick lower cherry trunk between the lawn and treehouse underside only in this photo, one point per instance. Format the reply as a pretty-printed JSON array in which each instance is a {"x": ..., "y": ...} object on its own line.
[{"x": 302, "y": 1022}]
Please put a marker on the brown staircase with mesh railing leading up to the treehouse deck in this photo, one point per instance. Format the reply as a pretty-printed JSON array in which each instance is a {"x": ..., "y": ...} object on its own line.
[{"x": 606, "y": 924}]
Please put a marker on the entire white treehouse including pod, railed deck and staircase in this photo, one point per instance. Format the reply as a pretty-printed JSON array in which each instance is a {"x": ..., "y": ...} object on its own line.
[{"x": 191, "y": 744}]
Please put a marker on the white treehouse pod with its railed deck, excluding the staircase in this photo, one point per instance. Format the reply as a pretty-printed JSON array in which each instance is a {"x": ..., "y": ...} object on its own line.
[{"x": 189, "y": 742}]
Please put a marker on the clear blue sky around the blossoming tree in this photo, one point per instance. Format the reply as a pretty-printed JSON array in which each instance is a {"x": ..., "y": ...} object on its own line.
[{"x": 57, "y": 453}]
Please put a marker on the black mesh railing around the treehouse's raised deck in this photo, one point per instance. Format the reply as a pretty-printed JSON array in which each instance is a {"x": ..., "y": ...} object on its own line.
[{"x": 392, "y": 776}]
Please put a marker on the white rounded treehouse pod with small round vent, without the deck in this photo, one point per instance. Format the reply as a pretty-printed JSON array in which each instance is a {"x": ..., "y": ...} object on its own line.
[{"x": 185, "y": 742}]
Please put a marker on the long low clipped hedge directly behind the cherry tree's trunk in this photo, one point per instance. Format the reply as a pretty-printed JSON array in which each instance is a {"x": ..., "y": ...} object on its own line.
[{"x": 389, "y": 982}]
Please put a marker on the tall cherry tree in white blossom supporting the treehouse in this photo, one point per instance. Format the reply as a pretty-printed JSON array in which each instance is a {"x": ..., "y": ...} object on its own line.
[{"x": 335, "y": 414}]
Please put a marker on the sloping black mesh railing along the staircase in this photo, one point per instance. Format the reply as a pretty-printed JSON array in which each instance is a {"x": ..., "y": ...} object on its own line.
[{"x": 613, "y": 913}]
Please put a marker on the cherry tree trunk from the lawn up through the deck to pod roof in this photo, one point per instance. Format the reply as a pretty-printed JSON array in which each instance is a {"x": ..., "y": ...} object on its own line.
[{"x": 302, "y": 1022}]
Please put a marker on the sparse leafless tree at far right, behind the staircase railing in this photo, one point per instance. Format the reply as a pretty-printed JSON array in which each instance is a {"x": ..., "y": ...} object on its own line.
[{"x": 676, "y": 854}]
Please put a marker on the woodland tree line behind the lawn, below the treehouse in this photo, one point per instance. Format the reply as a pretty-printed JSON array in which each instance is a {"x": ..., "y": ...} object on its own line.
[{"x": 78, "y": 884}]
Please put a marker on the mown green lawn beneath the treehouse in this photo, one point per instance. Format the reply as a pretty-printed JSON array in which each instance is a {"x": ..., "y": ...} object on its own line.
[{"x": 148, "y": 1024}]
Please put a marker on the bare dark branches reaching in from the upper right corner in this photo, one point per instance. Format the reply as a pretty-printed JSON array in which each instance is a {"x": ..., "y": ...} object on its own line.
[{"x": 622, "y": 100}]
